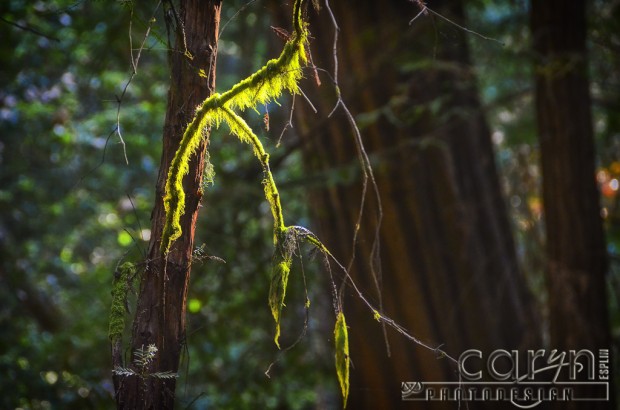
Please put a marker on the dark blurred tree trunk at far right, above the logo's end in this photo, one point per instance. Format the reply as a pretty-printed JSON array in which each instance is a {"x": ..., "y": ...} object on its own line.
[{"x": 576, "y": 254}]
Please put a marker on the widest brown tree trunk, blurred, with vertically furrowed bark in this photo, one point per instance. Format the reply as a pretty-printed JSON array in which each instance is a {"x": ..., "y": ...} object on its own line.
[{"x": 450, "y": 272}]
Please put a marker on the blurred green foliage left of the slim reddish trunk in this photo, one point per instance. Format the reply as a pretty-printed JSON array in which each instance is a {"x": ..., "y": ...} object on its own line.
[{"x": 61, "y": 208}]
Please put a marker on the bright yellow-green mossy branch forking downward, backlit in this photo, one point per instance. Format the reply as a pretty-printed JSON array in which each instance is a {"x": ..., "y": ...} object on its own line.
[{"x": 267, "y": 84}]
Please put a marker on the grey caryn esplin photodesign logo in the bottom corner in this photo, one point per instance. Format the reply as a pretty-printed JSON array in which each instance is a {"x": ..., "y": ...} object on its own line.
[{"x": 526, "y": 382}]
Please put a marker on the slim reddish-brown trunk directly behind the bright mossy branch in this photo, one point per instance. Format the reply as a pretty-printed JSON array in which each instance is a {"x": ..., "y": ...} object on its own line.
[{"x": 160, "y": 313}]
